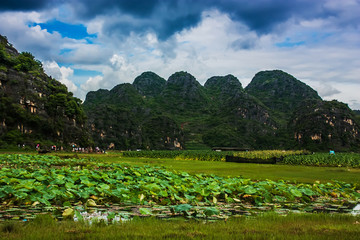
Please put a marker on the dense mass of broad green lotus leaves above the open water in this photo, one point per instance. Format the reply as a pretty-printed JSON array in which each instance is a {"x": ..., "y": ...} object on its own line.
[{"x": 49, "y": 180}]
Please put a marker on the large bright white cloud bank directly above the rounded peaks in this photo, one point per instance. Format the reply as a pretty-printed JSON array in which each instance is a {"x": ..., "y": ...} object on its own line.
[{"x": 208, "y": 49}]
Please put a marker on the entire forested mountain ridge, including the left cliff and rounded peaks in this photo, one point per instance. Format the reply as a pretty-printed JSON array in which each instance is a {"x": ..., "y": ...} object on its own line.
[{"x": 275, "y": 111}]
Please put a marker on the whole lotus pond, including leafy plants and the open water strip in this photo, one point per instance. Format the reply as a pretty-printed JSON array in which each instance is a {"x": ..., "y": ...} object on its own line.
[{"x": 87, "y": 188}]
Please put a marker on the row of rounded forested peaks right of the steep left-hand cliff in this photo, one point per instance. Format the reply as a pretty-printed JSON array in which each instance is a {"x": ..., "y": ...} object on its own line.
[{"x": 223, "y": 113}]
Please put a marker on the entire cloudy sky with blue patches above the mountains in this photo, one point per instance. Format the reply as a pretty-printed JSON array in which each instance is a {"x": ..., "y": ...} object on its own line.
[{"x": 92, "y": 44}]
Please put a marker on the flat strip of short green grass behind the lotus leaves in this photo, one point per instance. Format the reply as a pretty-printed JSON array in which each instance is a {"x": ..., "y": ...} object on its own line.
[{"x": 306, "y": 174}]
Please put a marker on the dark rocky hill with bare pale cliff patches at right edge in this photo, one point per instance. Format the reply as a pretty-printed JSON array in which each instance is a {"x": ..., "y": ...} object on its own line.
[{"x": 326, "y": 125}]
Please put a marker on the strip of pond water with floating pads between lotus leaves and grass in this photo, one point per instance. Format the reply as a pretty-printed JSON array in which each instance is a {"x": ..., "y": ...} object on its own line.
[{"x": 124, "y": 212}]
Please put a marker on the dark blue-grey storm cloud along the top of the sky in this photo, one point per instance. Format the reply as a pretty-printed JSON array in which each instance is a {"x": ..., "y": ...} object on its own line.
[{"x": 166, "y": 17}]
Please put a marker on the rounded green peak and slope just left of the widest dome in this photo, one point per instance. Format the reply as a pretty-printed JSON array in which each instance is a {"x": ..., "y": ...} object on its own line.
[{"x": 239, "y": 119}]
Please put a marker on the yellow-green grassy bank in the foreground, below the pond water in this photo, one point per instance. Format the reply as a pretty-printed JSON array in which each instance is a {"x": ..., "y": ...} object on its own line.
[{"x": 268, "y": 226}]
